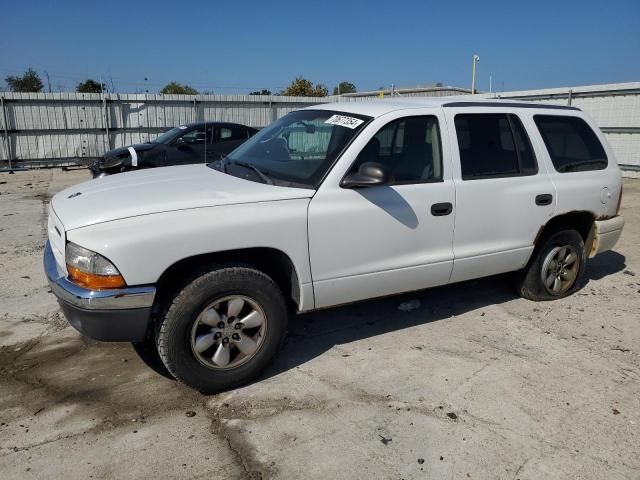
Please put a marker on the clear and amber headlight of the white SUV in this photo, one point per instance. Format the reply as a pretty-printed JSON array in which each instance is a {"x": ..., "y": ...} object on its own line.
[{"x": 91, "y": 270}]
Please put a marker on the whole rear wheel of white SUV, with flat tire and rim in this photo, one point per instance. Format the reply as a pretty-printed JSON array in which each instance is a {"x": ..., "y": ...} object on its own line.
[{"x": 555, "y": 269}]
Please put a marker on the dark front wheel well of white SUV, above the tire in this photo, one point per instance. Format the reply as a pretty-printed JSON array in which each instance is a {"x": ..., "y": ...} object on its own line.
[{"x": 271, "y": 261}]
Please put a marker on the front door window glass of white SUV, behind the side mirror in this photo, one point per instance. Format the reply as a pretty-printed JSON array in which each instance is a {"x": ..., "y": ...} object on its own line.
[{"x": 409, "y": 147}]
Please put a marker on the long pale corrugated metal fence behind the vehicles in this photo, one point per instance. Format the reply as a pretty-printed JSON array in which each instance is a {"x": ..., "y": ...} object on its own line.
[{"x": 46, "y": 129}]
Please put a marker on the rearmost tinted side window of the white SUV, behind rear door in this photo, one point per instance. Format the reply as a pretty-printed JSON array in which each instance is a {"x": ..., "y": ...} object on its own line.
[{"x": 571, "y": 143}]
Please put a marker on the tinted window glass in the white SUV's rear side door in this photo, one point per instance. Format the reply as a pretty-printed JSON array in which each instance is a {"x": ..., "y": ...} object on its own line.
[{"x": 493, "y": 145}]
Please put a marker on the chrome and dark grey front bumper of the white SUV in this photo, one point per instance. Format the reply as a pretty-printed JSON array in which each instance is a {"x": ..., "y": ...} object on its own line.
[{"x": 121, "y": 315}]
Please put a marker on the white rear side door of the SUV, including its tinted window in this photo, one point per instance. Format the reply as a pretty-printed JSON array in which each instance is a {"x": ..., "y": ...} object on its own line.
[{"x": 503, "y": 191}]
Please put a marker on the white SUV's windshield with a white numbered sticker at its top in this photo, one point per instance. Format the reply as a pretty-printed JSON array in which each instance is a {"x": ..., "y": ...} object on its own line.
[{"x": 296, "y": 150}]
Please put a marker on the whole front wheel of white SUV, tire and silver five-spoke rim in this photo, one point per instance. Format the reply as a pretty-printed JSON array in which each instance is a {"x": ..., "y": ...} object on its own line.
[{"x": 223, "y": 328}]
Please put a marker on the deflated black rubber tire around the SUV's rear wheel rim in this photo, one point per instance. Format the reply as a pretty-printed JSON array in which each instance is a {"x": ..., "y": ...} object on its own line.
[{"x": 531, "y": 280}]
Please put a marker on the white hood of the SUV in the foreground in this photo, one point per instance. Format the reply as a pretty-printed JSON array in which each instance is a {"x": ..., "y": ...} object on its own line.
[{"x": 159, "y": 190}]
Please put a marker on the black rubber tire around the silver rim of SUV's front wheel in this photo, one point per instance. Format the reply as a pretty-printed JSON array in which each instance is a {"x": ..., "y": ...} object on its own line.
[{"x": 175, "y": 331}]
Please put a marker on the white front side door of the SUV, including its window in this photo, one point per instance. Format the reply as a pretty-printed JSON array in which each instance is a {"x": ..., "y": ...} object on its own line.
[{"x": 381, "y": 240}]
